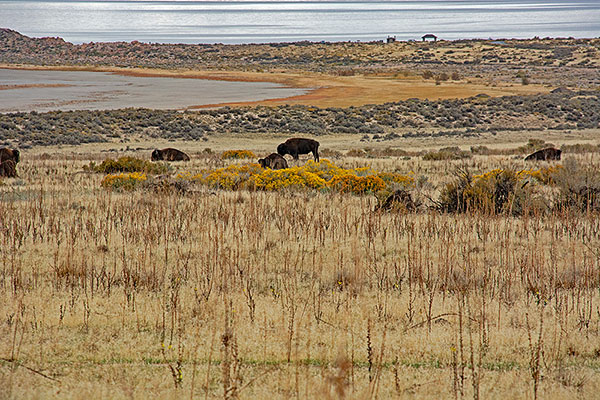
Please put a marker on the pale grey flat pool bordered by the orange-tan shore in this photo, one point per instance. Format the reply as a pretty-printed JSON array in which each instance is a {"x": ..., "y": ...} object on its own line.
[{"x": 80, "y": 90}]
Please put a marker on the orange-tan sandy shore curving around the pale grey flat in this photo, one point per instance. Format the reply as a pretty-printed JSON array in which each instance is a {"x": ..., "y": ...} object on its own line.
[{"x": 324, "y": 90}]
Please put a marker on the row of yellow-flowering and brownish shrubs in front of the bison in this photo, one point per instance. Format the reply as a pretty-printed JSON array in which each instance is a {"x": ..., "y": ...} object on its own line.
[{"x": 570, "y": 187}]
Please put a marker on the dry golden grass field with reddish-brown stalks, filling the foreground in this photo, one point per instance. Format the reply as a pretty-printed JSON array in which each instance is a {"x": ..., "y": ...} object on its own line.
[{"x": 289, "y": 294}]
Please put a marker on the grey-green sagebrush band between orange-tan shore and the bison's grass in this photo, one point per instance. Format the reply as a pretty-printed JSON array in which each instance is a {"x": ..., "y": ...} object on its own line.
[{"x": 561, "y": 110}]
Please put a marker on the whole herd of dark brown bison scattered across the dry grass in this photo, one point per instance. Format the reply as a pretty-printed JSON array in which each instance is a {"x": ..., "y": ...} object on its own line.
[{"x": 9, "y": 158}]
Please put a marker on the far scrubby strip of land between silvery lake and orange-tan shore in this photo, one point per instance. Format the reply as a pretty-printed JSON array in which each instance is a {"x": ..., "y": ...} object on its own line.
[{"x": 557, "y": 62}]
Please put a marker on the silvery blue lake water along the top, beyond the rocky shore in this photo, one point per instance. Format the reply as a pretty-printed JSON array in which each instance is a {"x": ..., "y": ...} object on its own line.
[{"x": 243, "y": 21}]
